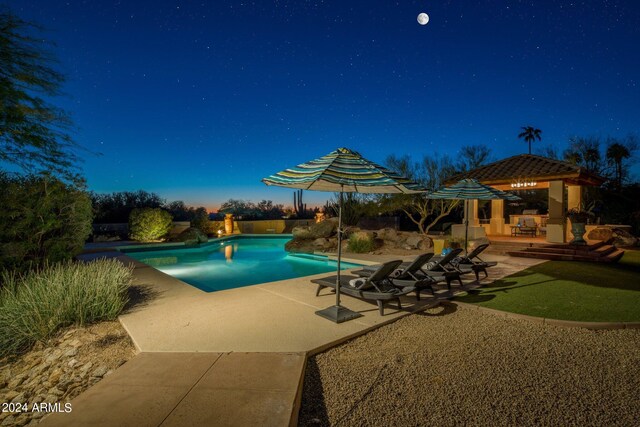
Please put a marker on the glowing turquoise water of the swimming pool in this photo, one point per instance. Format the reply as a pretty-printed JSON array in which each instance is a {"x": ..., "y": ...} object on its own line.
[{"x": 233, "y": 263}]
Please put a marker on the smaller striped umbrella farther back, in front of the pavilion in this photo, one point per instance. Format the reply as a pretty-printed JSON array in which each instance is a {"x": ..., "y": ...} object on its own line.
[{"x": 470, "y": 189}]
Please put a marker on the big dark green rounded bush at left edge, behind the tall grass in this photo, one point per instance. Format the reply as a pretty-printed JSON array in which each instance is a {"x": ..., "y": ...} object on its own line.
[{"x": 42, "y": 219}]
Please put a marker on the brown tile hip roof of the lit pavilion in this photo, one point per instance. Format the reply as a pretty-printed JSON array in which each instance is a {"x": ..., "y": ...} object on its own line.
[{"x": 529, "y": 166}]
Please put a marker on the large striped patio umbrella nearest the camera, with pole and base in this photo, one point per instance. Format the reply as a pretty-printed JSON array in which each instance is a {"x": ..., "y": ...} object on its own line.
[{"x": 343, "y": 171}]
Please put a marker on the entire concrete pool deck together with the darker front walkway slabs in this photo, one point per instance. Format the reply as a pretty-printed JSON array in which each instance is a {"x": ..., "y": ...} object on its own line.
[{"x": 235, "y": 357}]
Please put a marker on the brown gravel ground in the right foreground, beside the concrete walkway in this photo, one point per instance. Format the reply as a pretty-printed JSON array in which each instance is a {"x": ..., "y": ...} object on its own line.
[{"x": 451, "y": 366}]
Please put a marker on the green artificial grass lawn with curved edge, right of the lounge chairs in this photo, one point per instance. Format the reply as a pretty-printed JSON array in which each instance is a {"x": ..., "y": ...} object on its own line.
[{"x": 569, "y": 290}]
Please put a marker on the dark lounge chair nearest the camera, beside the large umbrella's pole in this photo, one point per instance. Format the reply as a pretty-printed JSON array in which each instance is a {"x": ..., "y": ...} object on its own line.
[{"x": 376, "y": 287}]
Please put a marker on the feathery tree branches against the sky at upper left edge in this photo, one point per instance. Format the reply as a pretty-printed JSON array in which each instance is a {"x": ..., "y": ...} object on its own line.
[{"x": 33, "y": 133}]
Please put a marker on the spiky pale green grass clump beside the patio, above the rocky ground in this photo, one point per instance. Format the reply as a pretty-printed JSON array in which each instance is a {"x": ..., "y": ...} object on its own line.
[{"x": 34, "y": 305}]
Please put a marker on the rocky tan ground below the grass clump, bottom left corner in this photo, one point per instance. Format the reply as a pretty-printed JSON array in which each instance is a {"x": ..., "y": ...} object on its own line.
[{"x": 56, "y": 373}]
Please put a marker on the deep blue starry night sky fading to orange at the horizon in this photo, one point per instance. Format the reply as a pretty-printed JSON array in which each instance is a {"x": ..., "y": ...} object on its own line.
[{"x": 198, "y": 101}]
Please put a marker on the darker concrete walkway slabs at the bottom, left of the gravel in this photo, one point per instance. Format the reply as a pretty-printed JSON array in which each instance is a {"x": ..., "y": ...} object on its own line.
[{"x": 192, "y": 389}]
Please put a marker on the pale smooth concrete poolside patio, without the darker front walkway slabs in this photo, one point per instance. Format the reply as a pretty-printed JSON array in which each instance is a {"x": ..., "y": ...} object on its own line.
[{"x": 174, "y": 316}]
